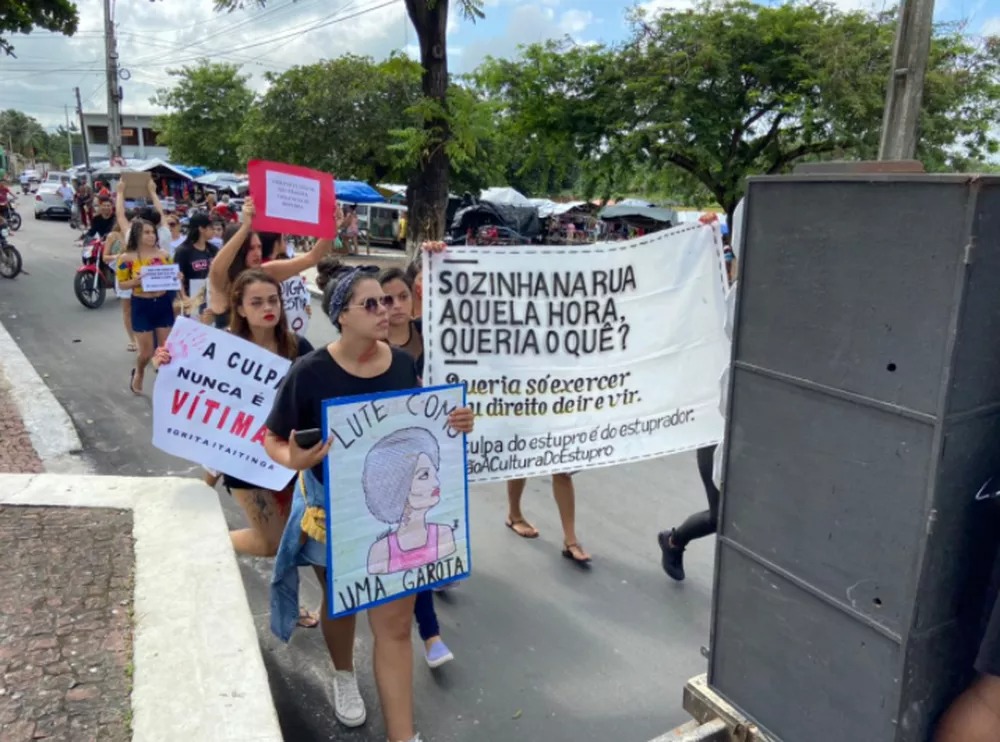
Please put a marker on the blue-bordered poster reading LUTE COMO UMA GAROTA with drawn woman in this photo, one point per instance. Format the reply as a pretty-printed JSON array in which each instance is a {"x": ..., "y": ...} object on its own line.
[{"x": 397, "y": 499}]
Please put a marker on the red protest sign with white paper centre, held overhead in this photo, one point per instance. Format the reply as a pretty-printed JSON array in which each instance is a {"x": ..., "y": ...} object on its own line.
[{"x": 291, "y": 199}]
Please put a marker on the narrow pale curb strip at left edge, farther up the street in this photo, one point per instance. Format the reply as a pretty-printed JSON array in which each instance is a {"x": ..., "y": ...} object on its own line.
[{"x": 52, "y": 432}]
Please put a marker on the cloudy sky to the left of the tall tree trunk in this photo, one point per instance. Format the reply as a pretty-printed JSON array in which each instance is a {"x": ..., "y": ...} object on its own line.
[{"x": 153, "y": 37}]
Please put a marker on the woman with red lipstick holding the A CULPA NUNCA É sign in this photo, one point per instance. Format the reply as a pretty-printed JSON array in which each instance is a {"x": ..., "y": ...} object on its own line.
[{"x": 260, "y": 320}]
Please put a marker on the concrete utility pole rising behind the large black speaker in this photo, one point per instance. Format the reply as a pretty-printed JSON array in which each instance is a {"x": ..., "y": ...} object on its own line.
[{"x": 901, "y": 120}]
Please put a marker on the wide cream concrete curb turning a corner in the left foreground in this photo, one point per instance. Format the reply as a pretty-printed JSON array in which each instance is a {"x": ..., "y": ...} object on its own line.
[{"x": 199, "y": 673}]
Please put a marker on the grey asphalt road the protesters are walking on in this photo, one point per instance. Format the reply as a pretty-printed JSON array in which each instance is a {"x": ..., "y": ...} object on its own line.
[{"x": 544, "y": 650}]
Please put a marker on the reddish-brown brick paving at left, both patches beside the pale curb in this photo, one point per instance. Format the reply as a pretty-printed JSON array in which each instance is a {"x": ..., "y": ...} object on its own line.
[{"x": 65, "y": 611}]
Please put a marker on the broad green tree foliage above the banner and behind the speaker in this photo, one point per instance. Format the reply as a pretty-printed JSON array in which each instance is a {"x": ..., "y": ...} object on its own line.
[{"x": 696, "y": 100}]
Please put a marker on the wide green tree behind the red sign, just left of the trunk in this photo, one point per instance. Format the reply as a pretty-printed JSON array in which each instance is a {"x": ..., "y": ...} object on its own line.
[{"x": 335, "y": 116}]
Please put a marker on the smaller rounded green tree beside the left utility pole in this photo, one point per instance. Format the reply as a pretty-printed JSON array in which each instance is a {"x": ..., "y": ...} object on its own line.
[{"x": 207, "y": 104}]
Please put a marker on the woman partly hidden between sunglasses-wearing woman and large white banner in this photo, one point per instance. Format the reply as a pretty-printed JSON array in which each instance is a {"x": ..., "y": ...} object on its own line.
[{"x": 405, "y": 334}]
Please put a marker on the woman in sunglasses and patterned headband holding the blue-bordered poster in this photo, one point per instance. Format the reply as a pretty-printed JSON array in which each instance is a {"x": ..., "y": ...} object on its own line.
[{"x": 360, "y": 361}]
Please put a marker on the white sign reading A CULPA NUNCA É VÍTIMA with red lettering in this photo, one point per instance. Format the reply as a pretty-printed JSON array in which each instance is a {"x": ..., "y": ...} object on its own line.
[{"x": 210, "y": 403}]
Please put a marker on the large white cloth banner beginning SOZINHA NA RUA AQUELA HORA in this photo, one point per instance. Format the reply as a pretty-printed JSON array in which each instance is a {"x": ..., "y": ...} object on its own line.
[{"x": 614, "y": 359}]
